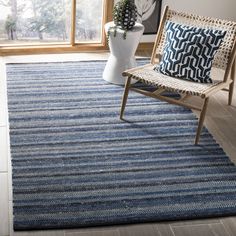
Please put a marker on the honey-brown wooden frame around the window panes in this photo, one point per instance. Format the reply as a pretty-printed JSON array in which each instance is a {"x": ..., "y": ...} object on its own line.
[{"x": 72, "y": 46}]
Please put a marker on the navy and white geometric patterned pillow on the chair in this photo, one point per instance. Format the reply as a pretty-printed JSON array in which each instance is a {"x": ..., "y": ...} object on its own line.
[{"x": 189, "y": 52}]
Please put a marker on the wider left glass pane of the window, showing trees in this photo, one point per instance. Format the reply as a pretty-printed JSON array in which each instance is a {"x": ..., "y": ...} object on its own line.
[{"x": 35, "y": 21}]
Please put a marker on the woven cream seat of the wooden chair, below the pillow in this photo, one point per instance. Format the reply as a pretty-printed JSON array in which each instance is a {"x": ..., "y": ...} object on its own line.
[{"x": 147, "y": 75}]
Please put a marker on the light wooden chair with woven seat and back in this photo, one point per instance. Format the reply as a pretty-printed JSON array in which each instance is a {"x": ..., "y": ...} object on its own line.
[{"x": 223, "y": 60}]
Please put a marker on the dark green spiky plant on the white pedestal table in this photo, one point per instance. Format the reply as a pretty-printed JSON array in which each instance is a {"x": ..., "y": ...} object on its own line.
[{"x": 124, "y": 16}]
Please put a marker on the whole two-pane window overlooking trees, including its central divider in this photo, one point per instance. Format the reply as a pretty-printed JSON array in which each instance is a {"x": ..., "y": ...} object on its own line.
[{"x": 39, "y": 22}]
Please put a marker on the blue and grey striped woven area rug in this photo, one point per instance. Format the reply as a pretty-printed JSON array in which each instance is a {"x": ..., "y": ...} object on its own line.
[{"x": 76, "y": 164}]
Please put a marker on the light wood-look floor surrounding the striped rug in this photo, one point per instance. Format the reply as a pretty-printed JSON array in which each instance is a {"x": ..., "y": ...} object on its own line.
[{"x": 220, "y": 120}]
